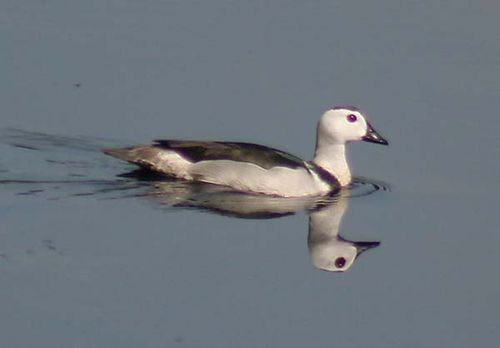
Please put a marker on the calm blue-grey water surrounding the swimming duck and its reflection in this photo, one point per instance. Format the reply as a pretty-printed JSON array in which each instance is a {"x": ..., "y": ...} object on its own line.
[{"x": 91, "y": 259}]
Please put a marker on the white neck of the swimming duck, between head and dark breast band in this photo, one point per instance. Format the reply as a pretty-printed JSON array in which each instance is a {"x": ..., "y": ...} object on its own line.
[{"x": 332, "y": 157}]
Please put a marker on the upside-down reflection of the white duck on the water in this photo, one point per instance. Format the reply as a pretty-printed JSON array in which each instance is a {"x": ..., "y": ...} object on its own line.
[{"x": 329, "y": 251}]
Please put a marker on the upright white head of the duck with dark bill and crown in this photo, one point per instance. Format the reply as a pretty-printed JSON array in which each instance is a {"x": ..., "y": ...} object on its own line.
[{"x": 343, "y": 124}]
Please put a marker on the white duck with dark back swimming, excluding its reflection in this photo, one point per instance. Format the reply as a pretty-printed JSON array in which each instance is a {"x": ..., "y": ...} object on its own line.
[{"x": 259, "y": 169}]
